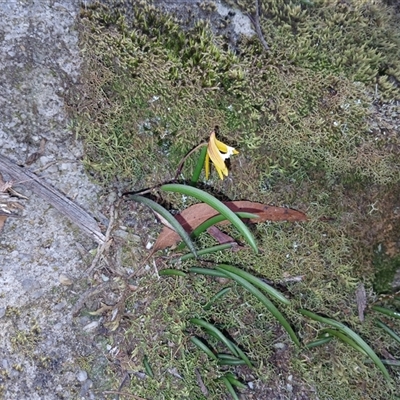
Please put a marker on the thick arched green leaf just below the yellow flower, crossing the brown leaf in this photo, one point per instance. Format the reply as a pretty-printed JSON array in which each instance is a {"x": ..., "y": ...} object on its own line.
[{"x": 217, "y": 205}]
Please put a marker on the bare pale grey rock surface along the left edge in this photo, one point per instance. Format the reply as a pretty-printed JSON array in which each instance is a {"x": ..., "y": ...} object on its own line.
[{"x": 41, "y": 353}]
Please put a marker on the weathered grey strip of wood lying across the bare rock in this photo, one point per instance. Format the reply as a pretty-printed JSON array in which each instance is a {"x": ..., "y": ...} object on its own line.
[{"x": 58, "y": 200}]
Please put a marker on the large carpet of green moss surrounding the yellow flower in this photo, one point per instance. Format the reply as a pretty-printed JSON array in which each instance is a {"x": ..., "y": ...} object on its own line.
[{"x": 154, "y": 90}]
